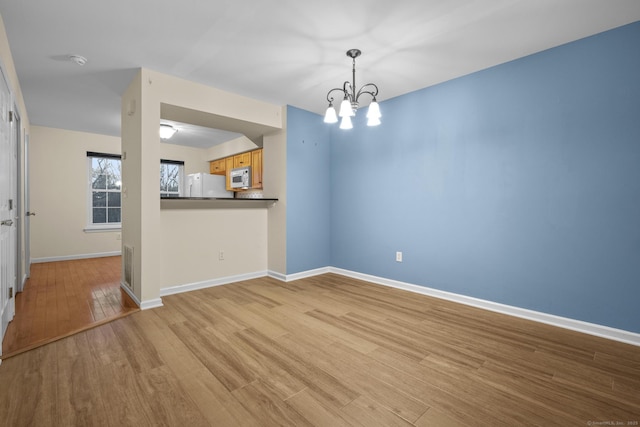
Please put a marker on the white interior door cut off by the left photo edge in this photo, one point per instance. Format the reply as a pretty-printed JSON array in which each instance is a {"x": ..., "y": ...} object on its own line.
[{"x": 8, "y": 234}]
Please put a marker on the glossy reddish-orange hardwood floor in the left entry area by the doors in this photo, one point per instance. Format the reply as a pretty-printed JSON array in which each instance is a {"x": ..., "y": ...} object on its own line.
[{"x": 65, "y": 297}]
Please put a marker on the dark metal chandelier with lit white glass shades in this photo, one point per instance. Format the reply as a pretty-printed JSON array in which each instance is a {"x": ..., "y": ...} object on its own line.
[{"x": 349, "y": 104}]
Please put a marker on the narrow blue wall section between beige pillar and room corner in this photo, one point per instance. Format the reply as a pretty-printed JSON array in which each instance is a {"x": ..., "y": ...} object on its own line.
[{"x": 308, "y": 191}]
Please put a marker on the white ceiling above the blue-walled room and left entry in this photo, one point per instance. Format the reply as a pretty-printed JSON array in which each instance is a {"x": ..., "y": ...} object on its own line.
[{"x": 278, "y": 51}]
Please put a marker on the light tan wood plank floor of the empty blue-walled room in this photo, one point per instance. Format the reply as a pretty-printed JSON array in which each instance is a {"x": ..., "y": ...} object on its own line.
[{"x": 322, "y": 351}]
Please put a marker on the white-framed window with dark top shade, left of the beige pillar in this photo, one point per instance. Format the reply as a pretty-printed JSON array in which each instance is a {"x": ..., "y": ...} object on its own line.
[{"x": 105, "y": 181}]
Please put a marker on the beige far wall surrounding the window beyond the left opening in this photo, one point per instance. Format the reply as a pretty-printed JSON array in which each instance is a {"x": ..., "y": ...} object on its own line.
[{"x": 58, "y": 183}]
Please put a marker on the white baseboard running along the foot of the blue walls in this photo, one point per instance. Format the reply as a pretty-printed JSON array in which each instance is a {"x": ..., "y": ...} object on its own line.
[{"x": 549, "y": 319}]
